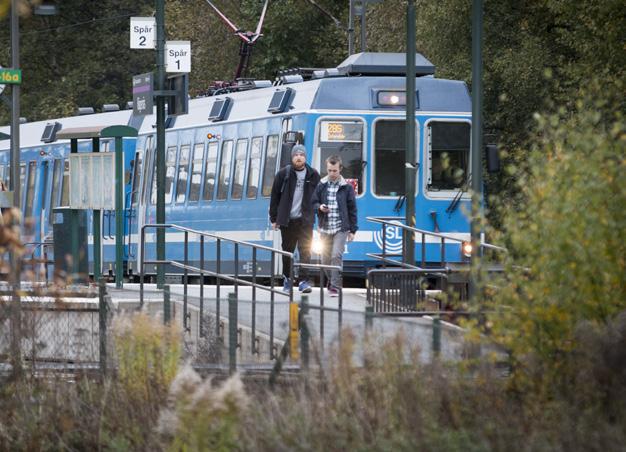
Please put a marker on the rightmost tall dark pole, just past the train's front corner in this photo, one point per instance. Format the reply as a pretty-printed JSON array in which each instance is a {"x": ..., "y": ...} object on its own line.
[{"x": 477, "y": 130}]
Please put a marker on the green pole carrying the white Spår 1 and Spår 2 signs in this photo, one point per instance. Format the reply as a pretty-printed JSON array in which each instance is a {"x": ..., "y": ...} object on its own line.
[{"x": 160, "y": 208}]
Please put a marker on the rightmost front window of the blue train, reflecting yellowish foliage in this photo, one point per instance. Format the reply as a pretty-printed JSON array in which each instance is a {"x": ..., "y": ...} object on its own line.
[{"x": 448, "y": 155}]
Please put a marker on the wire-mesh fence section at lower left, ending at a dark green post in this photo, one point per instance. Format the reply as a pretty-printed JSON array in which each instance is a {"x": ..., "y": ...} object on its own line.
[{"x": 42, "y": 329}]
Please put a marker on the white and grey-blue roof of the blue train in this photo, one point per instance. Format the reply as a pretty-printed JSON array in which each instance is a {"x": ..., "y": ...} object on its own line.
[{"x": 353, "y": 91}]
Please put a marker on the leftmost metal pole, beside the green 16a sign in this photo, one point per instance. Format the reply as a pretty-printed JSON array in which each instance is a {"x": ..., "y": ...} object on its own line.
[{"x": 14, "y": 185}]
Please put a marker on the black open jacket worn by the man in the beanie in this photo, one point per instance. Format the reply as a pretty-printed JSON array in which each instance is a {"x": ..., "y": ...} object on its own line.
[{"x": 282, "y": 195}]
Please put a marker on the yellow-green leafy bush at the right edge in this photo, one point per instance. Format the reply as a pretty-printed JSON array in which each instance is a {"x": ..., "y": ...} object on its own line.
[{"x": 567, "y": 261}]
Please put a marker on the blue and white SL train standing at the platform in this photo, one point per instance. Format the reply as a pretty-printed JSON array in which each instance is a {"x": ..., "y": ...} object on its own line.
[{"x": 222, "y": 156}]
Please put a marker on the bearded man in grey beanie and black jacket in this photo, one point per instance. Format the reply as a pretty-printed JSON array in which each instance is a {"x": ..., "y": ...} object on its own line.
[{"x": 292, "y": 212}]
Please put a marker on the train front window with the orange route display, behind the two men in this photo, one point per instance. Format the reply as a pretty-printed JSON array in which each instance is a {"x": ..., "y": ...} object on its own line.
[{"x": 345, "y": 139}]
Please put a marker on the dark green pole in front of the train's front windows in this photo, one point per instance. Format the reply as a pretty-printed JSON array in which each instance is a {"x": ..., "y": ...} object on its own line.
[{"x": 410, "y": 167}]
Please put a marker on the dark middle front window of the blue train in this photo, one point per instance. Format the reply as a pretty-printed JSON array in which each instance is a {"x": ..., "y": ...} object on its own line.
[{"x": 389, "y": 158}]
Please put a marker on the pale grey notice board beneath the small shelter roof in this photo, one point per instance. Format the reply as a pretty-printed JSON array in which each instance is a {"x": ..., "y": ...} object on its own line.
[{"x": 92, "y": 181}]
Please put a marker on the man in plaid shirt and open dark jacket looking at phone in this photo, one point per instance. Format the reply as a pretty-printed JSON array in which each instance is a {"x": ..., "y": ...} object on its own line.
[{"x": 334, "y": 201}]
